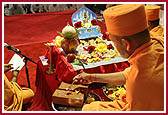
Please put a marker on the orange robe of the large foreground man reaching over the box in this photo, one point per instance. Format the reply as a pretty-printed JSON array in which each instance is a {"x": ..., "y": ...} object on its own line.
[{"x": 144, "y": 82}]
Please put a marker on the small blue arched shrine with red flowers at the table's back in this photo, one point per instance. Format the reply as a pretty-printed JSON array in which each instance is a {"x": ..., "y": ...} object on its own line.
[{"x": 85, "y": 21}]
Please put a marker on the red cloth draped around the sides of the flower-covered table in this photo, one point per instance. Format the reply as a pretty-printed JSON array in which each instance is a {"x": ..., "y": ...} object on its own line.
[{"x": 47, "y": 84}]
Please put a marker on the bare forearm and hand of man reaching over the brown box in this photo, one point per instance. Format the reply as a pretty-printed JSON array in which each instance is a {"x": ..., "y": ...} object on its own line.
[{"x": 112, "y": 78}]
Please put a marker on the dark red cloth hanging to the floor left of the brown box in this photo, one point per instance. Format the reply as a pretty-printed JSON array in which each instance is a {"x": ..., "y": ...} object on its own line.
[{"x": 45, "y": 83}]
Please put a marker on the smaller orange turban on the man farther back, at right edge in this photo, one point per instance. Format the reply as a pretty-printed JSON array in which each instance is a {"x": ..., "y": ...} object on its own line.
[{"x": 152, "y": 12}]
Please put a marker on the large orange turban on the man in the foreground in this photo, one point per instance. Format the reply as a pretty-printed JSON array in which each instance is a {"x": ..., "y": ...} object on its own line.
[{"x": 126, "y": 19}]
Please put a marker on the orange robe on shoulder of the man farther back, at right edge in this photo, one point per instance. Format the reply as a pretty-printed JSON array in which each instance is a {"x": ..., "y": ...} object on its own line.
[{"x": 157, "y": 32}]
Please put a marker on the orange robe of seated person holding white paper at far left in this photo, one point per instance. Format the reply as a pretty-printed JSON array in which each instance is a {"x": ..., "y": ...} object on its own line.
[{"x": 14, "y": 95}]
